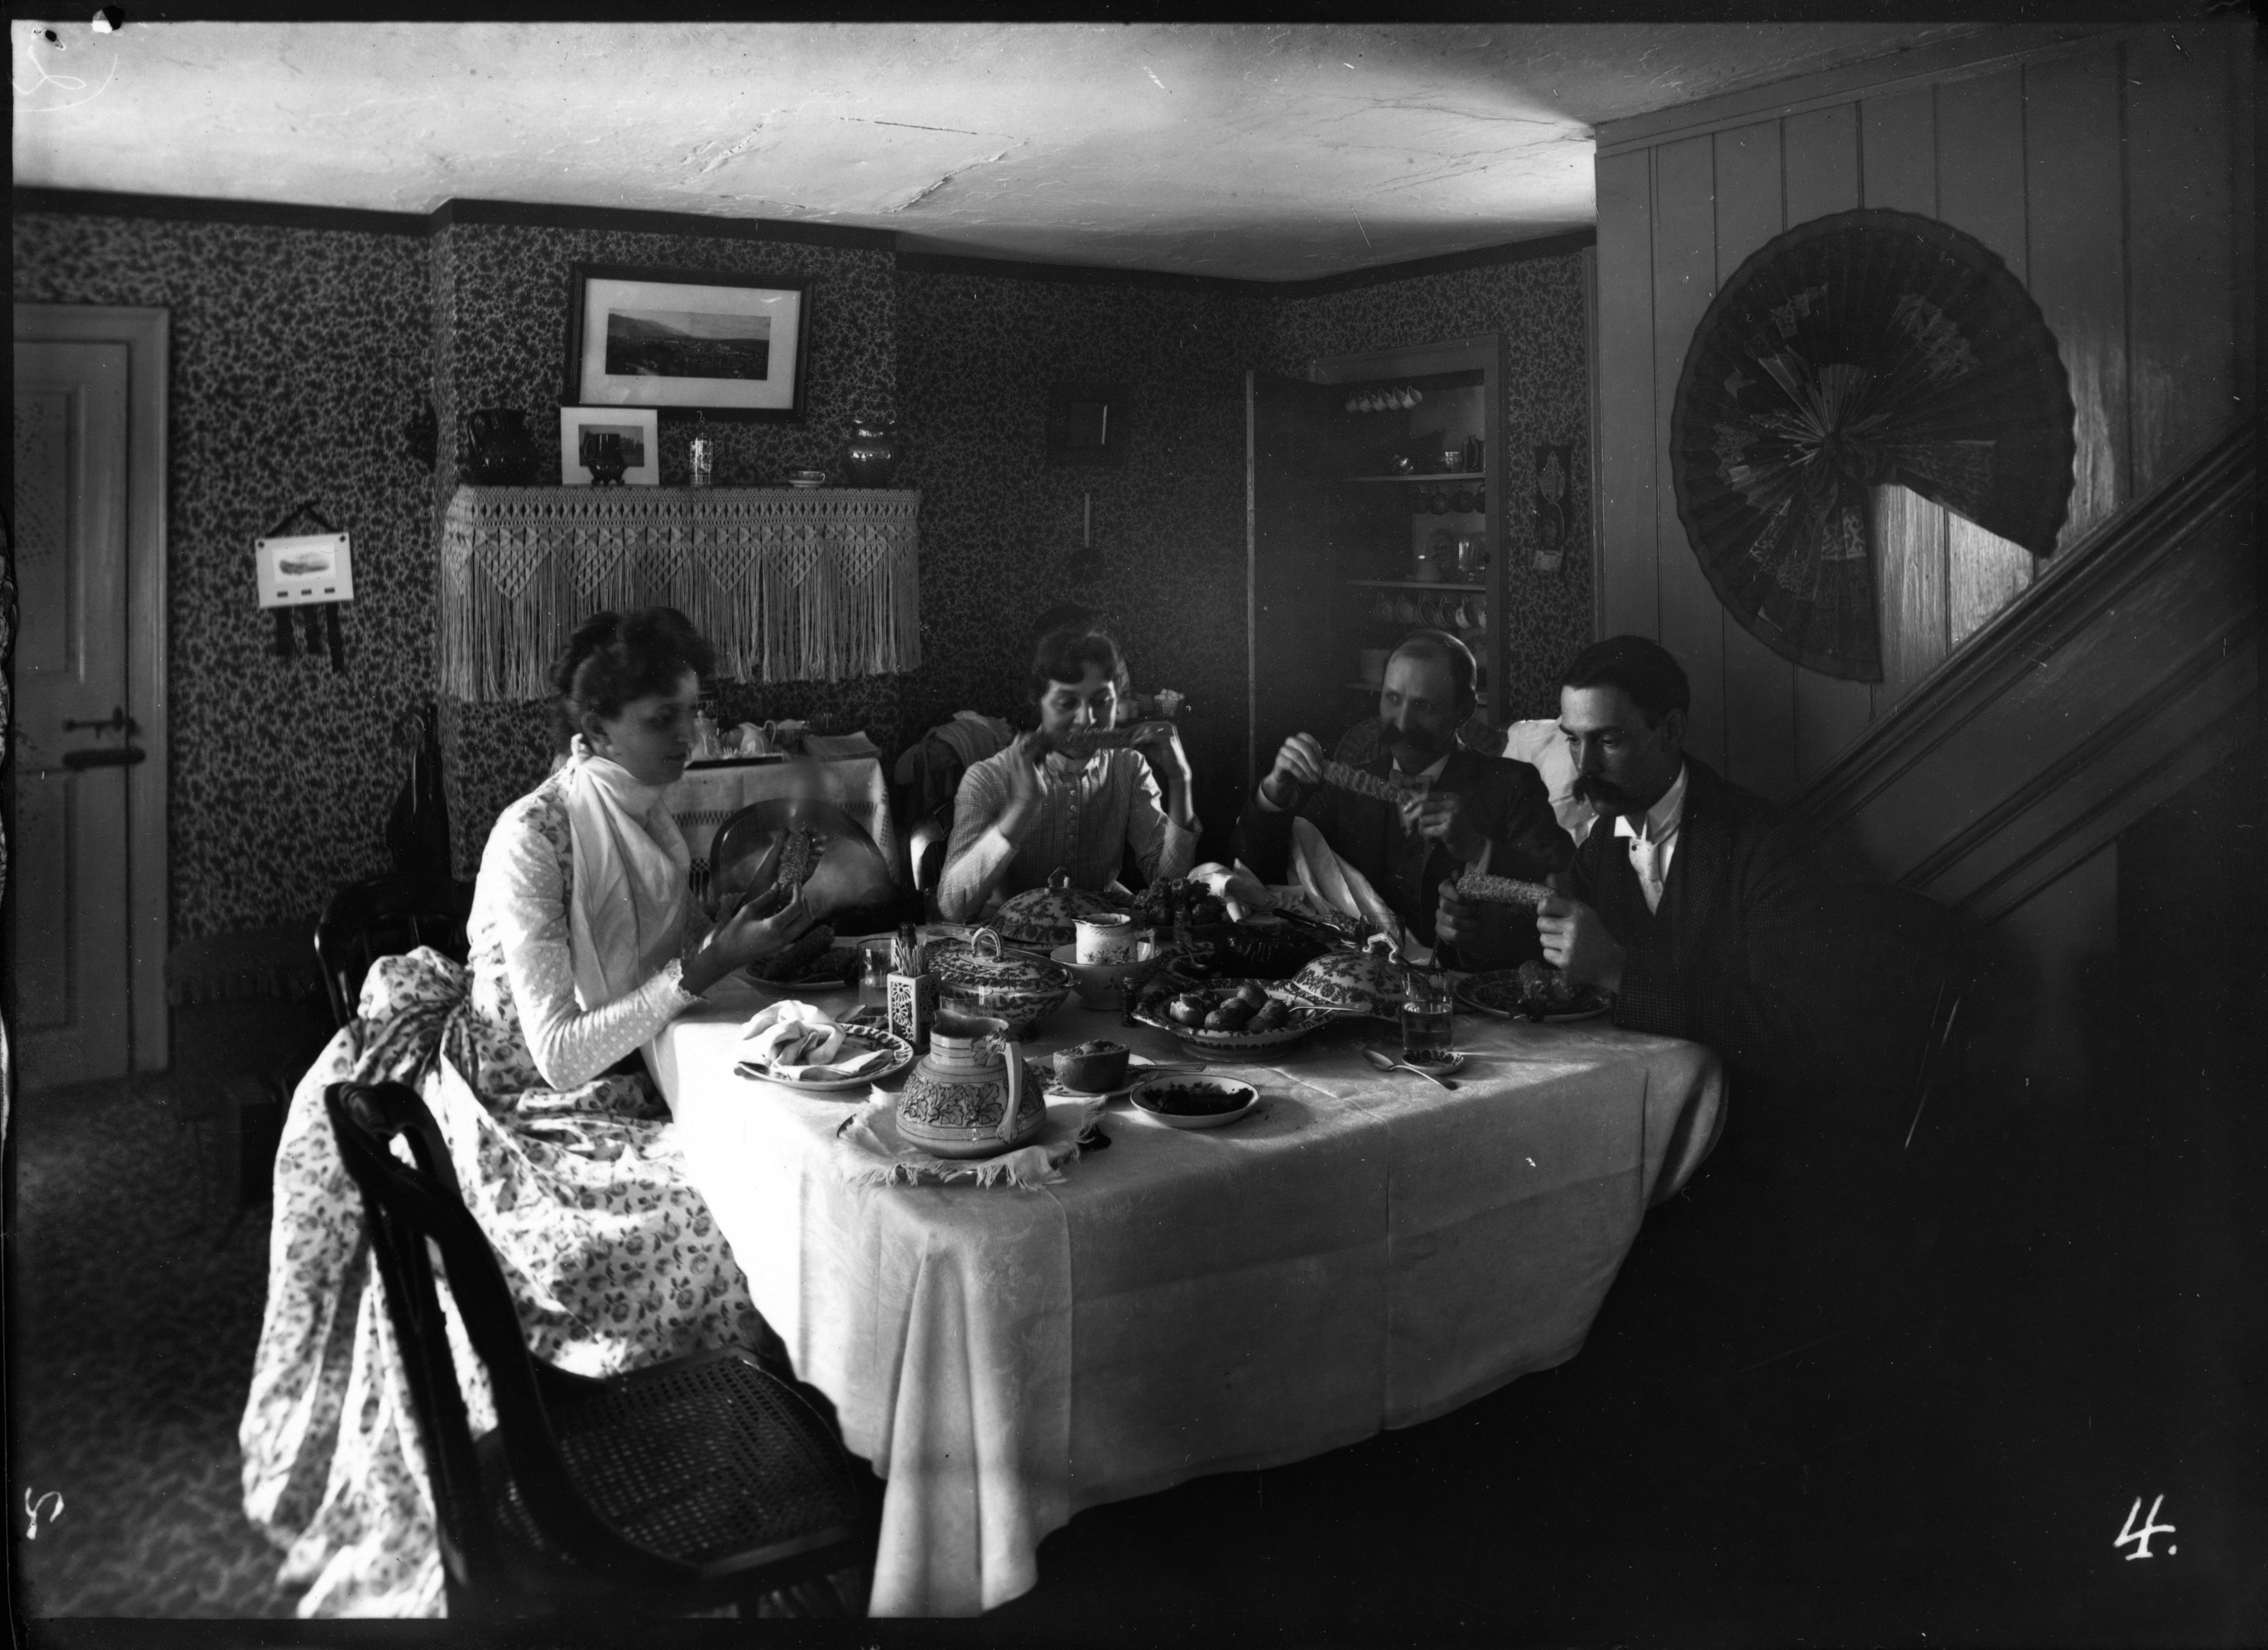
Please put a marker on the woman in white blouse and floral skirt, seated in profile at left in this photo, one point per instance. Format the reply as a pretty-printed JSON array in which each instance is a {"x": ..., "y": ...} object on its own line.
[{"x": 584, "y": 944}]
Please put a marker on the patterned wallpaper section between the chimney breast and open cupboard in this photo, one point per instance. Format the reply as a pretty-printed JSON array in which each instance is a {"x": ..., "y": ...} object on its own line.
[{"x": 999, "y": 527}]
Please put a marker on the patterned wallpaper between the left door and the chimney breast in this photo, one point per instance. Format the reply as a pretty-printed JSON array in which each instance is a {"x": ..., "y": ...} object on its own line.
[{"x": 298, "y": 355}]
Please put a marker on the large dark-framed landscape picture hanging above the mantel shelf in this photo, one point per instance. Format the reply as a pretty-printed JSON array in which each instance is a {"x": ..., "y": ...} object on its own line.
[{"x": 729, "y": 346}]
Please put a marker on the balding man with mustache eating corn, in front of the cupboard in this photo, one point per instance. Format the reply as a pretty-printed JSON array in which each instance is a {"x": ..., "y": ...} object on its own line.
[{"x": 1459, "y": 808}]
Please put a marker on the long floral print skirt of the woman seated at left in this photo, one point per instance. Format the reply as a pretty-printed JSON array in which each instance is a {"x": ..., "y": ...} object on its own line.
[{"x": 611, "y": 1257}]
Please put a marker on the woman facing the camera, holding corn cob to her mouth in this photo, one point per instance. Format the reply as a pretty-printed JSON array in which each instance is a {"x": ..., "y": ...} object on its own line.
[{"x": 1035, "y": 808}]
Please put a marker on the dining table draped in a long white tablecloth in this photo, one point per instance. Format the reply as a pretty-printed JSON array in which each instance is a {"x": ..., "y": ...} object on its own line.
[{"x": 1362, "y": 1250}]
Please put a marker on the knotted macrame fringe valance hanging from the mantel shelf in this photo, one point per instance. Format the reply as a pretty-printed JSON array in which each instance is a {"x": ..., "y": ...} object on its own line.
[{"x": 788, "y": 586}]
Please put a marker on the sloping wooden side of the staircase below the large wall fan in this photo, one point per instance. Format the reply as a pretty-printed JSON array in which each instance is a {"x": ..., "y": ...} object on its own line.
[{"x": 2124, "y": 674}]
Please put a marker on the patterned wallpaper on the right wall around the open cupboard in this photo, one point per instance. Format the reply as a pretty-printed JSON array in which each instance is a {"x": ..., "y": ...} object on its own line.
[{"x": 1539, "y": 307}]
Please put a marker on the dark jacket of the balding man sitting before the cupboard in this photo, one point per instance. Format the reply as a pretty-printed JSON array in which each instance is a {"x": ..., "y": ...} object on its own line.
[{"x": 1507, "y": 799}]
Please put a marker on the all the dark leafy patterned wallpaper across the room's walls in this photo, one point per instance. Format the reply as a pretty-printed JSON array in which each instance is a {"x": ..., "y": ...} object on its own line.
[{"x": 303, "y": 352}]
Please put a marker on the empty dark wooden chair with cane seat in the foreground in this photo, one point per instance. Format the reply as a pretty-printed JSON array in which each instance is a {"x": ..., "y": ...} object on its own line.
[{"x": 675, "y": 1490}]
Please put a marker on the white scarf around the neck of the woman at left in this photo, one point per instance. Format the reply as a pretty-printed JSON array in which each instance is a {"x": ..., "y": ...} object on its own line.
[{"x": 632, "y": 874}]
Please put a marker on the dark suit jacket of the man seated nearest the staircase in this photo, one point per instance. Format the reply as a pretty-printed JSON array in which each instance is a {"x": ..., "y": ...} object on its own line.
[{"x": 1816, "y": 987}]
